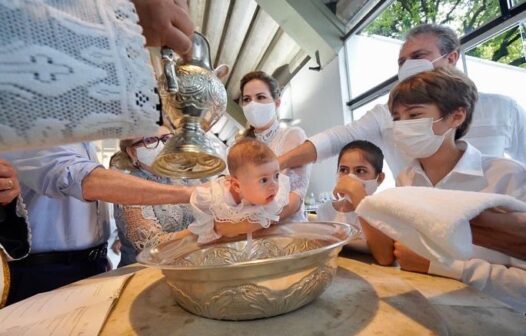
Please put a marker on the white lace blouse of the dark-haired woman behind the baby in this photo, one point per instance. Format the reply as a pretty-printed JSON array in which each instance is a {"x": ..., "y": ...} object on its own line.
[{"x": 281, "y": 140}]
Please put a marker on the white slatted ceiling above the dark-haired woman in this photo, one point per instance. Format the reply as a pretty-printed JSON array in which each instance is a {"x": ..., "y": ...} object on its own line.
[{"x": 245, "y": 38}]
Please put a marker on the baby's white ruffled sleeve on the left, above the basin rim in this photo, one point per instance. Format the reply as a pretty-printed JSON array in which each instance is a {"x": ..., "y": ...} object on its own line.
[{"x": 203, "y": 224}]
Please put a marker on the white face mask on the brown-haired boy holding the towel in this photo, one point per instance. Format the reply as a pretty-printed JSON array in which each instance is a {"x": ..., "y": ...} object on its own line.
[{"x": 416, "y": 139}]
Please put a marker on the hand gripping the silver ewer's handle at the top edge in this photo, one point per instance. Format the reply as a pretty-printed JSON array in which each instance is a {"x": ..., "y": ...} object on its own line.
[{"x": 166, "y": 23}]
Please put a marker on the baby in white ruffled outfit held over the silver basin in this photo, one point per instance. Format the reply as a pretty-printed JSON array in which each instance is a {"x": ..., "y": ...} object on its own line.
[{"x": 255, "y": 193}]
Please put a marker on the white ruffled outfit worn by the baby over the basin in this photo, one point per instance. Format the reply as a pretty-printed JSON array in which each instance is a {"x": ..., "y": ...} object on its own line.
[{"x": 216, "y": 203}]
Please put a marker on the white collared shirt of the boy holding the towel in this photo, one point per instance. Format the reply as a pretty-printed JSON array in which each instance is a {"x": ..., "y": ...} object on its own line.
[{"x": 477, "y": 172}]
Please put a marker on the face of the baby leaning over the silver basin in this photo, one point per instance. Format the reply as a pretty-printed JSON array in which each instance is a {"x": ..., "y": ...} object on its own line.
[{"x": 258, "y": 184}]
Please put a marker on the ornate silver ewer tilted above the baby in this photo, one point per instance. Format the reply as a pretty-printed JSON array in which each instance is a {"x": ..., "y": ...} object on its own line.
[{"x": 193, "y": 99}]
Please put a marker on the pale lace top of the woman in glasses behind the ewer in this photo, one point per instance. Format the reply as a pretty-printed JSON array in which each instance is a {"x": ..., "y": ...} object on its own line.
[{"x": 147, "y": 226}]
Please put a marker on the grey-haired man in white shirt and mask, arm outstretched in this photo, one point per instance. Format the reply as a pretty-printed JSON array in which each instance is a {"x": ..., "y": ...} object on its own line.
[{"x": 498, "y": 125}]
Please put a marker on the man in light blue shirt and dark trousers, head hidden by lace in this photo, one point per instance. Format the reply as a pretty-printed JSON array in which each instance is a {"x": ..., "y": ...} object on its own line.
[{"x": 62, "y": 188}]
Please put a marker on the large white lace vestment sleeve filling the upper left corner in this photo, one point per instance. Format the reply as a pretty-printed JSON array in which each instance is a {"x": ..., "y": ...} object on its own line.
[{"x": 73, "y": 71}]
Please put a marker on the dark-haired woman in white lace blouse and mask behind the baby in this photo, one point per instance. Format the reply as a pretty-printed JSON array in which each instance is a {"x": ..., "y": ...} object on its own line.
[{"x": 260, "y": 99}]
